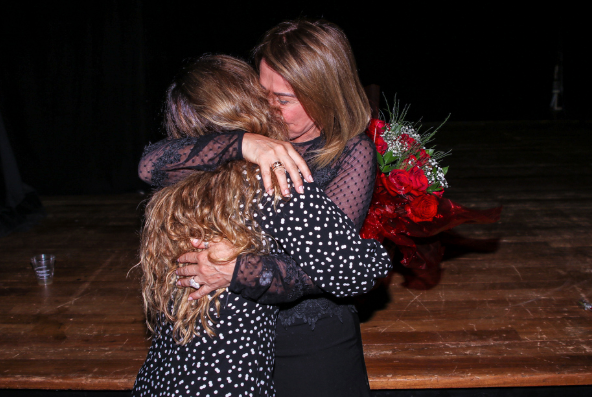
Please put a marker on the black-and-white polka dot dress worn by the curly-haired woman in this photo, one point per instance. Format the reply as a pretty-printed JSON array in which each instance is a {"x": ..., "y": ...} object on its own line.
[{"x": 239, "y": 360}]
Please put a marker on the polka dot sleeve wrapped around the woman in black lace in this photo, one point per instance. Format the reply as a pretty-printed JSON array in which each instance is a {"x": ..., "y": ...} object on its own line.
[{"x": 324, "y": 242}]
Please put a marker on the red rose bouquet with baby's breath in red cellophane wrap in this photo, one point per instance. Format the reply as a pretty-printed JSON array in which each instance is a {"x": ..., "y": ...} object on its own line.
[{"x": 408, "y": 207}]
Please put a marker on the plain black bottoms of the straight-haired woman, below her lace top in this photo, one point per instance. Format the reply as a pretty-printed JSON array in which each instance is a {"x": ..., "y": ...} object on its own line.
[{"x": 326, "y": 361}]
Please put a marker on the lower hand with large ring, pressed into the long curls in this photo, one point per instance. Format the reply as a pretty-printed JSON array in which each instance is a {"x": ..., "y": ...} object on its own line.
[{"x": 210, "y": 276}]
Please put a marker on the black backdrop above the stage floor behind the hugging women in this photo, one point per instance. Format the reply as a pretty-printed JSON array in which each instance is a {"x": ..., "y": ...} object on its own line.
[{"x": 81, "y": 83}]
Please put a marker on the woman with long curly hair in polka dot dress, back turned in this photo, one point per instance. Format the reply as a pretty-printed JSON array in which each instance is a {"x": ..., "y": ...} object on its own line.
[{"x": 222, "y": 342}]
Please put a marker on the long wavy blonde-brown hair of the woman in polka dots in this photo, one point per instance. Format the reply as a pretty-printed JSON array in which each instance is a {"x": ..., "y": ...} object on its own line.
[{"x": 212, "y": 95}]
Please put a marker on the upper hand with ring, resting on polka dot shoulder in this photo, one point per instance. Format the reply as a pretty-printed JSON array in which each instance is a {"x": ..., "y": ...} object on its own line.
[{"x": 265, "y": 152}]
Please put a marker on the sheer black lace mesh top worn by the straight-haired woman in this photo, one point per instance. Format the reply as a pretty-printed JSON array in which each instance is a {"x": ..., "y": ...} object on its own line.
[{"x": 275, "y": 279}]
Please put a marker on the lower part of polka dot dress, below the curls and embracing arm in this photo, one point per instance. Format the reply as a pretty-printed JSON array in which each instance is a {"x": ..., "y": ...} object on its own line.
[{"x": 238, "y": 361}]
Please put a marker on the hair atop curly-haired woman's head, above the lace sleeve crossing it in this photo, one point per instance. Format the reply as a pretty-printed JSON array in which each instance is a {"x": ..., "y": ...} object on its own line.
[{"x": 219, "y": 93}]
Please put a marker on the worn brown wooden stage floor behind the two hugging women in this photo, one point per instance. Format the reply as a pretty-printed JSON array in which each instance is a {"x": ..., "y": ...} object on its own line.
[{"x": 504, "y": 314}]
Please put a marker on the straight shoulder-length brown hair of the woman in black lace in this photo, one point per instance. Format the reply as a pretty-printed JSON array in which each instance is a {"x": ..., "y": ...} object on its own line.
[{"x": 316, "y": 59}]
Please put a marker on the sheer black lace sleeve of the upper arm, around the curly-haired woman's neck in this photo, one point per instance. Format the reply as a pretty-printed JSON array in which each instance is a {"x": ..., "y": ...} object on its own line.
[{"x": 171, "y": 160}]
